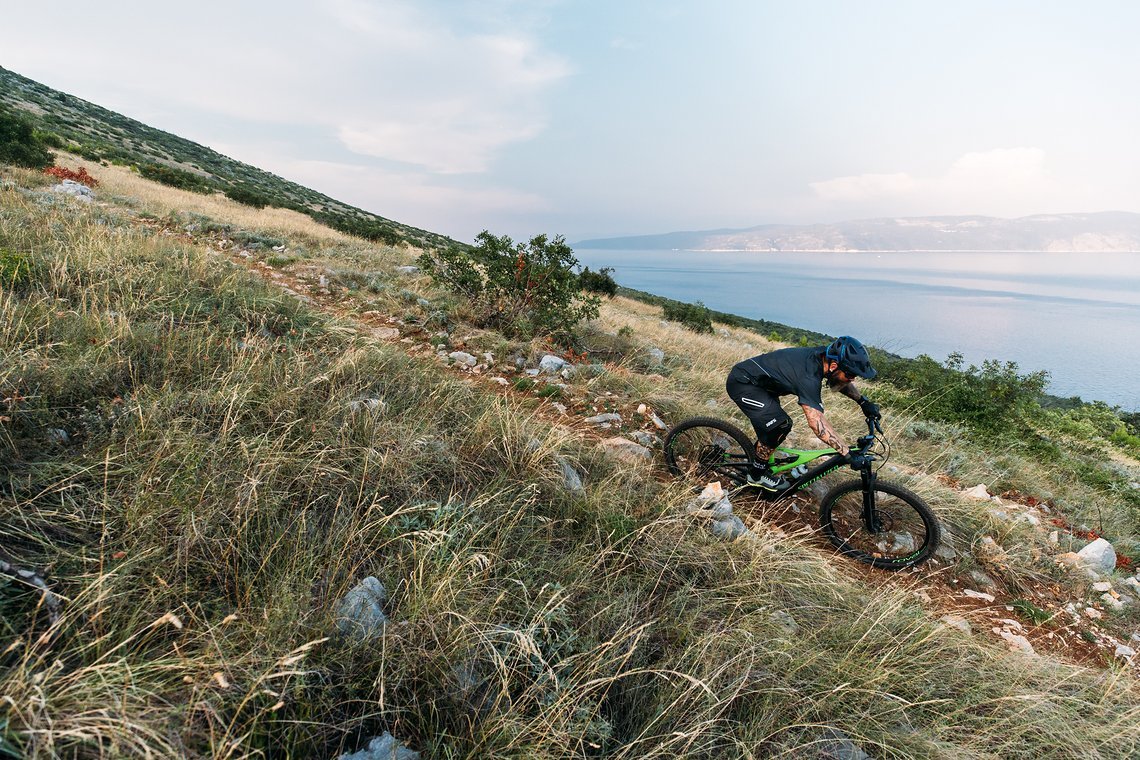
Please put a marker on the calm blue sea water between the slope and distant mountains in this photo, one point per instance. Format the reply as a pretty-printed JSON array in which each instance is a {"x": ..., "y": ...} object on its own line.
[{"x": 1074, "y": 315}]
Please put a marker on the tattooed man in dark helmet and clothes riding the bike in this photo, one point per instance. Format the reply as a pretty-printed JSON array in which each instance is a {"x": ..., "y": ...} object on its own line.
[{"x": 755, "y": 385}]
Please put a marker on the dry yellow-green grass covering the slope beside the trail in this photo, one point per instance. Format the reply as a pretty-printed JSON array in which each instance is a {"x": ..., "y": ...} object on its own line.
[{"x": 219, "y": 495}]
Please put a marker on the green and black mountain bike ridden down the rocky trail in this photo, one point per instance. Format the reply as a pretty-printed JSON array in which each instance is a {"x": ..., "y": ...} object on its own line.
[{"x": 881, "y": 524}]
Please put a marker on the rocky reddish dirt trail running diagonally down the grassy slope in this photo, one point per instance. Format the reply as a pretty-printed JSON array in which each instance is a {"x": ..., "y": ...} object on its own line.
[{"x": 1070, "y": 620}]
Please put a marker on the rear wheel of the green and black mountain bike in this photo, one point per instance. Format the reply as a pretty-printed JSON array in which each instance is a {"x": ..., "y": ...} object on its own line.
[{"x": 706, "y": 450}]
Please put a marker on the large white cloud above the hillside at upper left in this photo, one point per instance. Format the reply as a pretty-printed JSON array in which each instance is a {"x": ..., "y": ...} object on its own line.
[{"x": 443, "y": 86}]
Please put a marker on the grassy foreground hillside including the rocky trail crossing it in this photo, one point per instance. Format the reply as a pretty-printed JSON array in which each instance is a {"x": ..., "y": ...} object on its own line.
[{"x": 217, "y": 421}]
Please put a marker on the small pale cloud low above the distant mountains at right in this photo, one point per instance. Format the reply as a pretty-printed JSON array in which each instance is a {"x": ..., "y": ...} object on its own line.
[{"x": 1004, "y": 181}]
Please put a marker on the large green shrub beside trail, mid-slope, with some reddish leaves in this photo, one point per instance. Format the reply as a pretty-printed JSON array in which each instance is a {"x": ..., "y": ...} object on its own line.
[{"x": 524, "y": 290}]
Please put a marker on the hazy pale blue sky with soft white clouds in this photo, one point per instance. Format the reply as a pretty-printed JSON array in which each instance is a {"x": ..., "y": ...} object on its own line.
[{"x": 591, "y": 118}]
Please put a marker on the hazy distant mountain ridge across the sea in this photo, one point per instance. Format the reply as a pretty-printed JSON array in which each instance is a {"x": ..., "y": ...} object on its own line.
[{"x": 1104, "y": 232}]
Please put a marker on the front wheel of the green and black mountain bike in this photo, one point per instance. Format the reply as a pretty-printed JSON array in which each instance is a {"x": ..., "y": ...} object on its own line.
[{"x": 910, "y": 532}]
